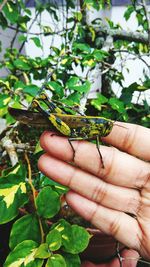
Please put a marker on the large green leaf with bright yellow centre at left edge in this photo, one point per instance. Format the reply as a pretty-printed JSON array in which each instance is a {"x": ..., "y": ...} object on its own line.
[{"x": 13, "y": 193}]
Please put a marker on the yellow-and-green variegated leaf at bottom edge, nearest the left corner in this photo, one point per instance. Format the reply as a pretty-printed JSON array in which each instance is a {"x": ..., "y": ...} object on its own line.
[{"x": 23, "y": 255}]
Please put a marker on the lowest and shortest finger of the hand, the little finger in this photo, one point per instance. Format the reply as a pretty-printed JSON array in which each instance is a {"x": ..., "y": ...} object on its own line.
[{"x": 112, "y": 222}]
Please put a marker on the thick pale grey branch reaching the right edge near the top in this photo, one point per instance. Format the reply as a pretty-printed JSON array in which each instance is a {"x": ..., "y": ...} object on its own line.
[{"x": 118, "y": 34}]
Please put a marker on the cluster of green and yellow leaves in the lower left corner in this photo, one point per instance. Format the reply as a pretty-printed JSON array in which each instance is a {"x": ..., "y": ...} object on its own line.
[{"x": 32, "y": 241}]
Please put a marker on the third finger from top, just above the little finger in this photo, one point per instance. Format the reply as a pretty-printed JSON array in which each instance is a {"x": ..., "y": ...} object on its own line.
[{"x": 80, "y": 182}]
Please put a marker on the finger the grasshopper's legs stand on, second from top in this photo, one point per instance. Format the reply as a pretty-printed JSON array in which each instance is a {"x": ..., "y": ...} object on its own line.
[{"x": 119, "y": 168}]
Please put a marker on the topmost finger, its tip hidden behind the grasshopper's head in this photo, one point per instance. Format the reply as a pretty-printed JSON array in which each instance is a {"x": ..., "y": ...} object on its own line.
[{"x": 131, "y": 138}]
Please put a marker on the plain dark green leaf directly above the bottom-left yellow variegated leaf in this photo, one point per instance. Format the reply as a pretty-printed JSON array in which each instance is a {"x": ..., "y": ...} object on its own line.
[{"x": 29, "y": 229}]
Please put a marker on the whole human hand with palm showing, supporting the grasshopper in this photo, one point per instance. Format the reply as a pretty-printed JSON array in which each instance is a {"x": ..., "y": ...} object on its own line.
[{"x": 106, "y": 196}]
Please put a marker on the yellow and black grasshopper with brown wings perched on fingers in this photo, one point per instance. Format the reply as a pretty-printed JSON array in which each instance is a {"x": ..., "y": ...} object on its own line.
[{"x": 75, "y": 127}]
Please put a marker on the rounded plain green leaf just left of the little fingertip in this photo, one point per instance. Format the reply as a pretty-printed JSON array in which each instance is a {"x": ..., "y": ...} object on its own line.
[{"x": 48, "y": 202}]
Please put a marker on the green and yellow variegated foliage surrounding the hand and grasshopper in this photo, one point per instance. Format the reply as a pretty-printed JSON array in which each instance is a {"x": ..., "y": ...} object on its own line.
[{"x": 27, "y": 198}]
